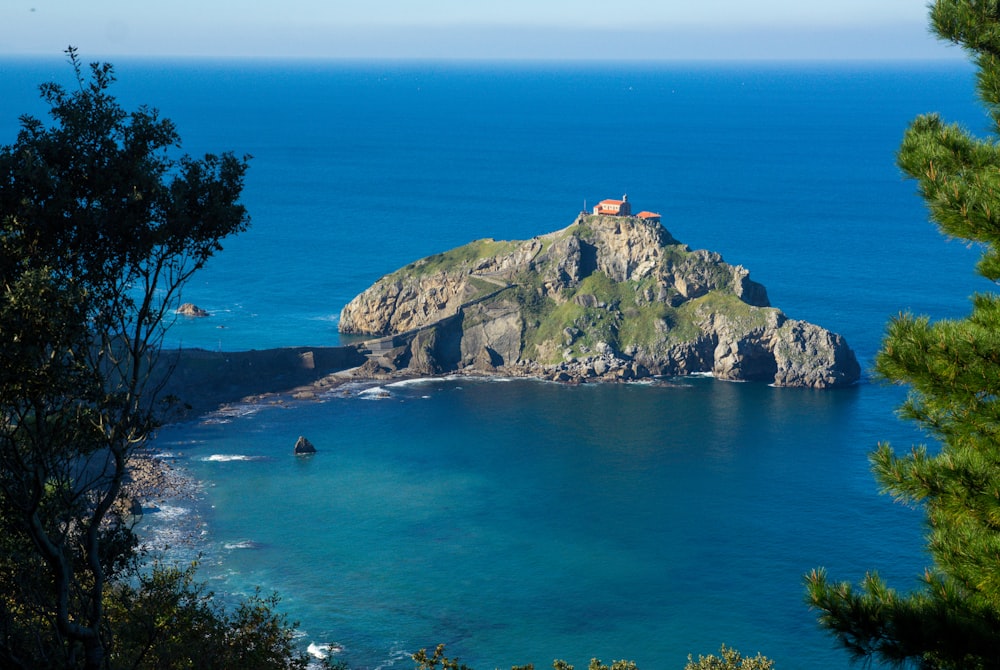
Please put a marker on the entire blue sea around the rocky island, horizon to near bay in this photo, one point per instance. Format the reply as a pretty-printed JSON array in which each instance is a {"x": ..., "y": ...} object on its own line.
[{"x": 519, "y": 521}]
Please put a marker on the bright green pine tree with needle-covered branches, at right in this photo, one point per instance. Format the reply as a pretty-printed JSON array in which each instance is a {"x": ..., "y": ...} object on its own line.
[{"x": 953, "y": 371}]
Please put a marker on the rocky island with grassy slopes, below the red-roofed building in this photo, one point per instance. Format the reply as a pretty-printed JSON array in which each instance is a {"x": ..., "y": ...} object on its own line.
[{"x": 606, "y": 298}]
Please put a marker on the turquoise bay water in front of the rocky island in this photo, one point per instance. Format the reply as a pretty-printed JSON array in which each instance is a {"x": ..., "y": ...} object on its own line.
[{"x": 521, "y": 521}]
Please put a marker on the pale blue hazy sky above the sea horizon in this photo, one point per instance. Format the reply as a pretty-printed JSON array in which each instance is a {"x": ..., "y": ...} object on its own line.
[{"x": 523, "y": 29}]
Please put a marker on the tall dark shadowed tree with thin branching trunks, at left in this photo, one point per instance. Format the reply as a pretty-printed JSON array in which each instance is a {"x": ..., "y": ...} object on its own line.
[{"x": 100, "y": 228}]
